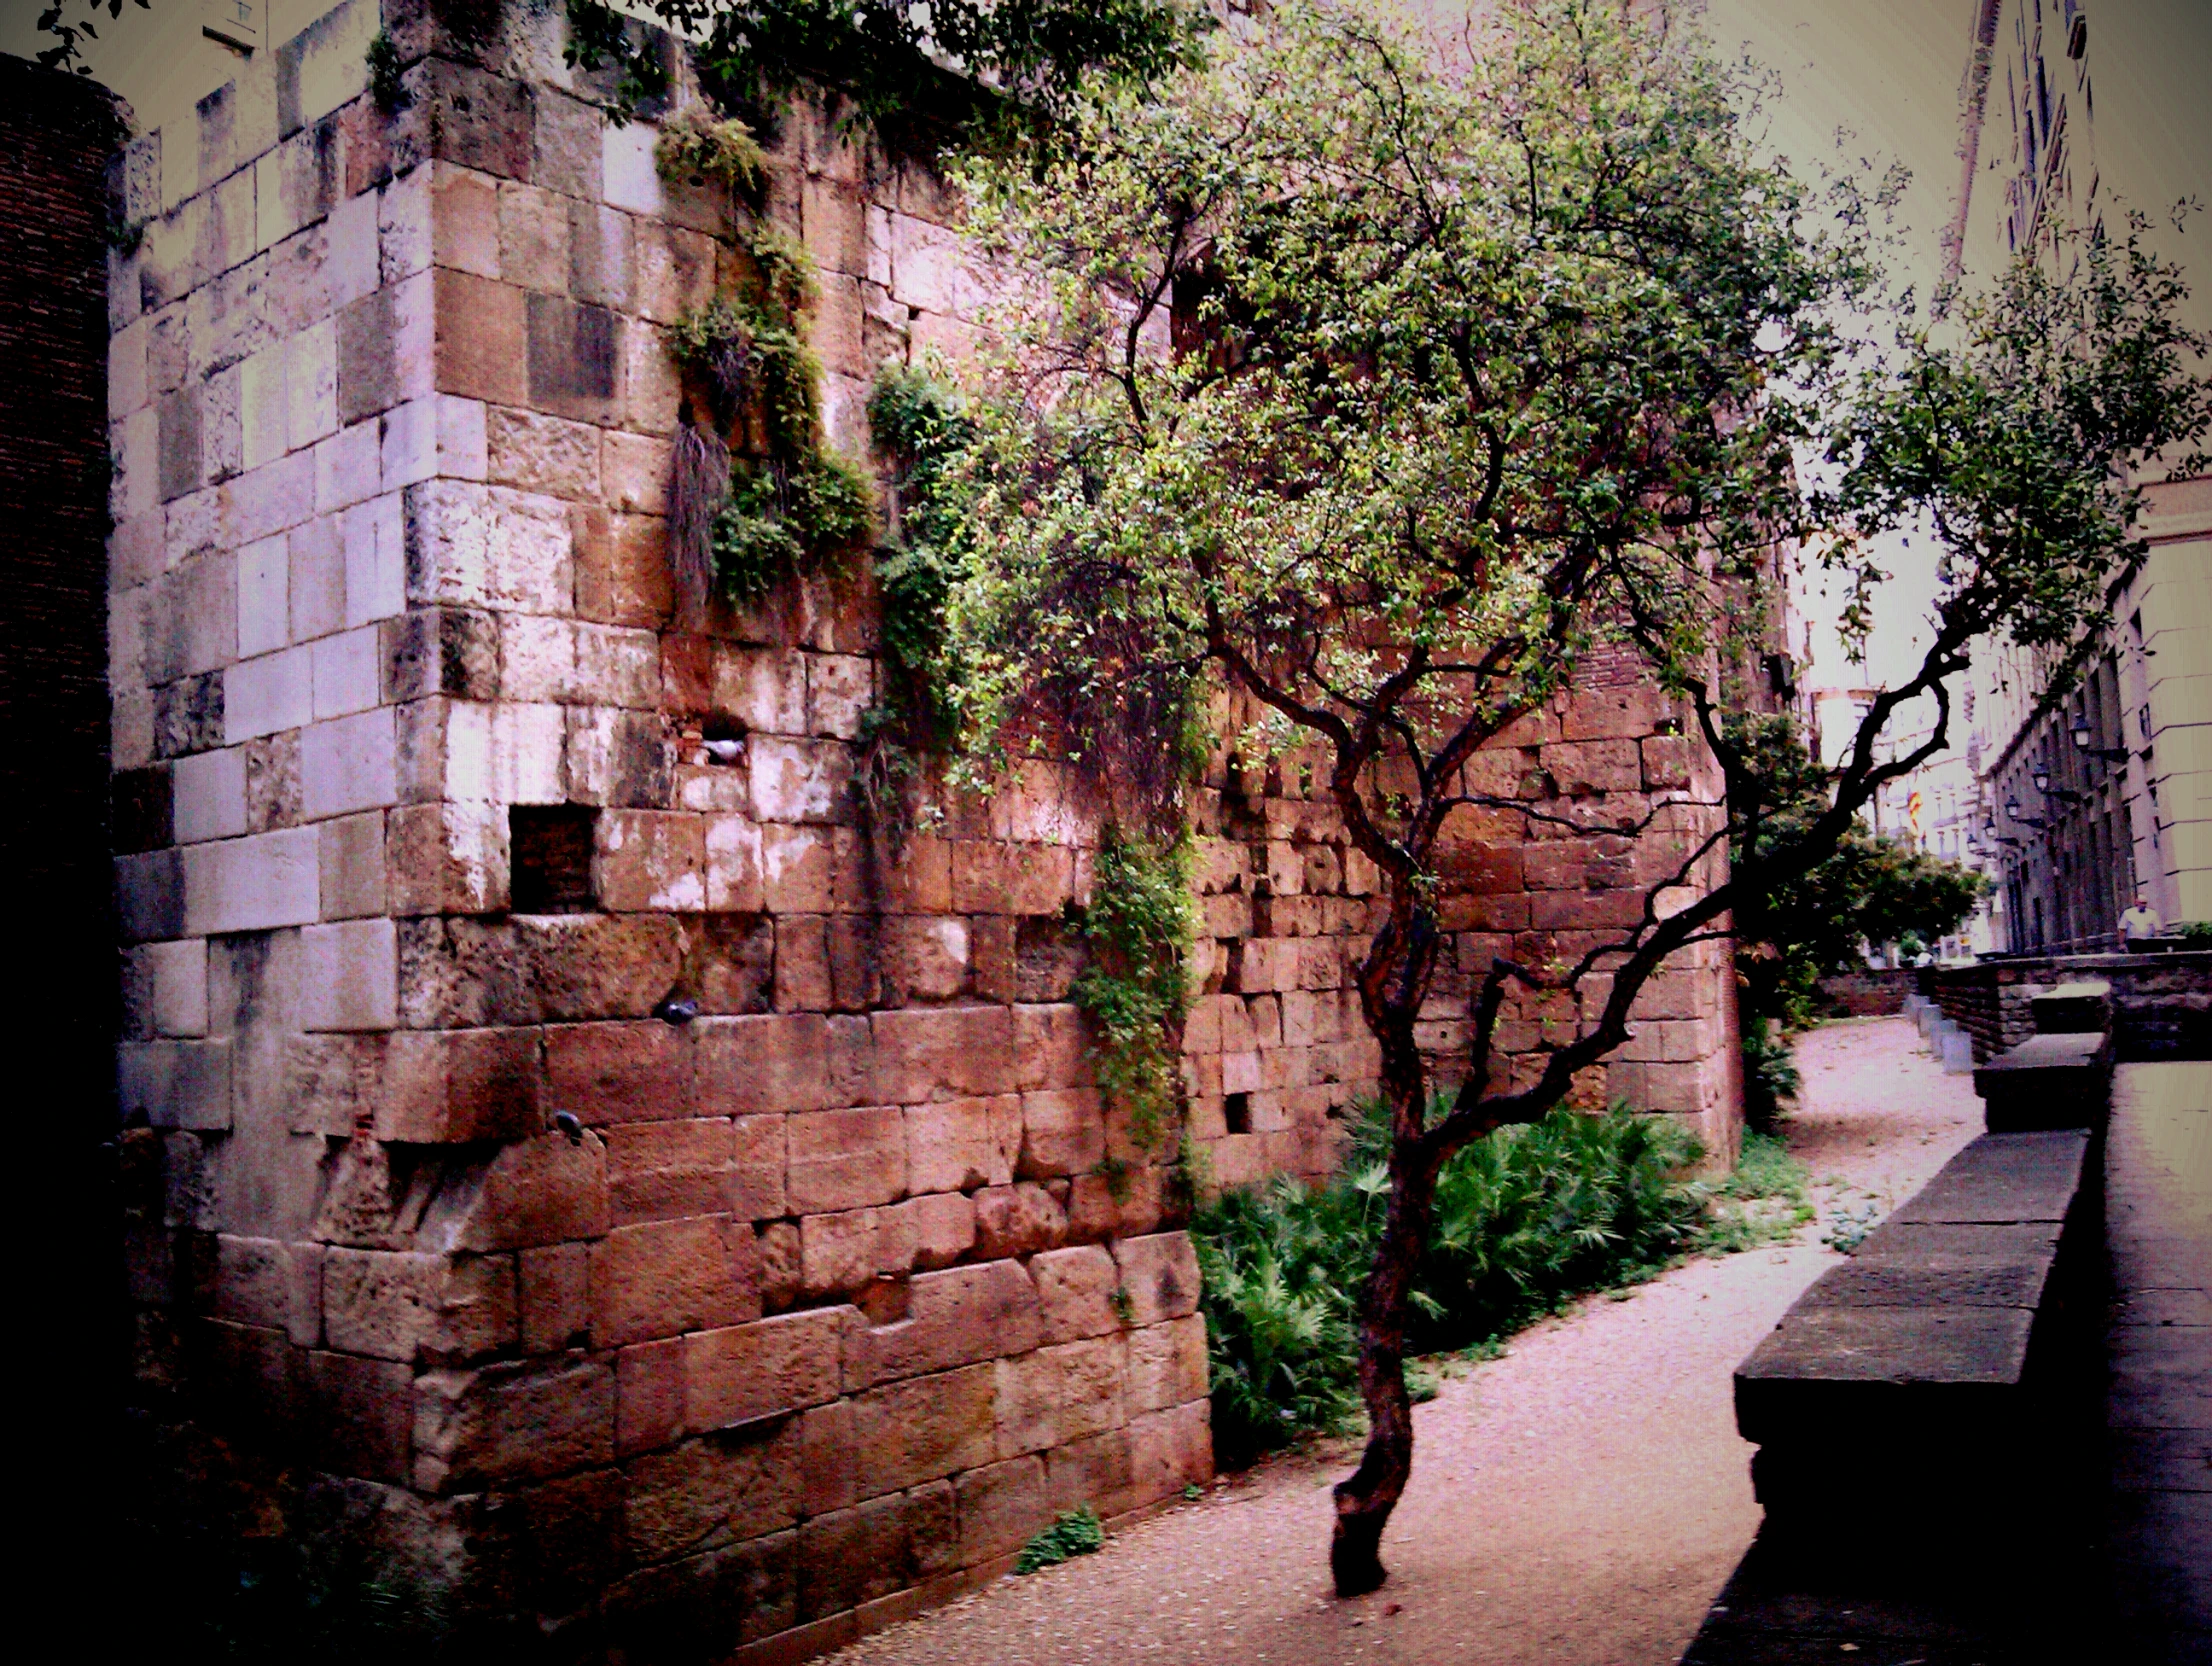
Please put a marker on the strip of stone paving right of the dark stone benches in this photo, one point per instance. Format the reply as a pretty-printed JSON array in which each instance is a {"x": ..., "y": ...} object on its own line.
[{"x": 2160, "y": 1351}]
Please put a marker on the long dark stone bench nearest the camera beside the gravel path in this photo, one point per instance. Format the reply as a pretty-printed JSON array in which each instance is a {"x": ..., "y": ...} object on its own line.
[{"x": 1928, "y": 1366}]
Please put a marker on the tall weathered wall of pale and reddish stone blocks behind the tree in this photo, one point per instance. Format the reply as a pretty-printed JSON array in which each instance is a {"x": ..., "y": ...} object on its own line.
[{"x": 685, "y": 1333}]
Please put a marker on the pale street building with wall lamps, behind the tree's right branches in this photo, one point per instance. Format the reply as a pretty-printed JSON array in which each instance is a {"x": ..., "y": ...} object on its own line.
[{"x": 2109, "y": 791}]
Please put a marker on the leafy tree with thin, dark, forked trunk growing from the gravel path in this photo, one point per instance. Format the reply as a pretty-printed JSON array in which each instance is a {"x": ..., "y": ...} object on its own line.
[{"x": 1370, "y": 384}]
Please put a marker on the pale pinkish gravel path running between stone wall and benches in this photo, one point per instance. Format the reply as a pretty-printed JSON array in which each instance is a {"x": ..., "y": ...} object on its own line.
[{"x": 1578, "y": 1501}]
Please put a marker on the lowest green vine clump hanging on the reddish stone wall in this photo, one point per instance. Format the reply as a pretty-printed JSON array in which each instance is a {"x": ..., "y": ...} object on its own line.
[{"x": 1136, "y": 992}]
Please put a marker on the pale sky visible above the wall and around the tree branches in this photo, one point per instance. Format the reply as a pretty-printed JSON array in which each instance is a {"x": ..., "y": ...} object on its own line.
[{"x": 1884, "y": 72}]
